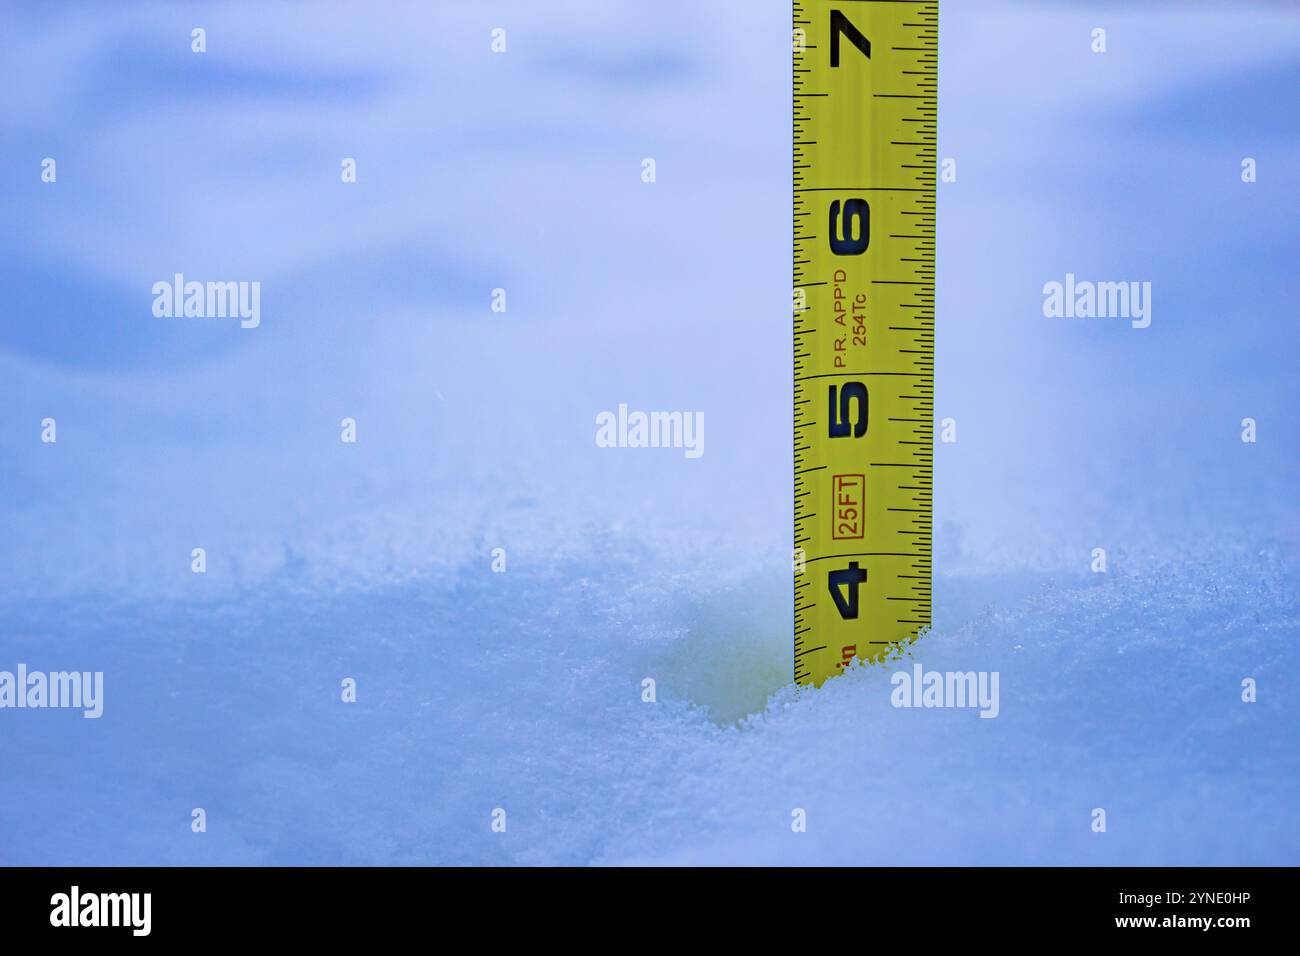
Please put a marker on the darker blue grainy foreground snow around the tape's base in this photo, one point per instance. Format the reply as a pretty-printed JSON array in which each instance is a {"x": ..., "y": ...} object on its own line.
[{"x": 523, "y": 691}]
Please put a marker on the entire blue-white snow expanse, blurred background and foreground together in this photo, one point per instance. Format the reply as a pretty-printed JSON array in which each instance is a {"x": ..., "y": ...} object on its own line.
[{"x": 523, "y": 690}]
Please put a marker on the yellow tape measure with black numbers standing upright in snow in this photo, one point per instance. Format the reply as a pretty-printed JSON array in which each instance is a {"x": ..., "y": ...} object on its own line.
[{"x": 866, "y": 76}]
